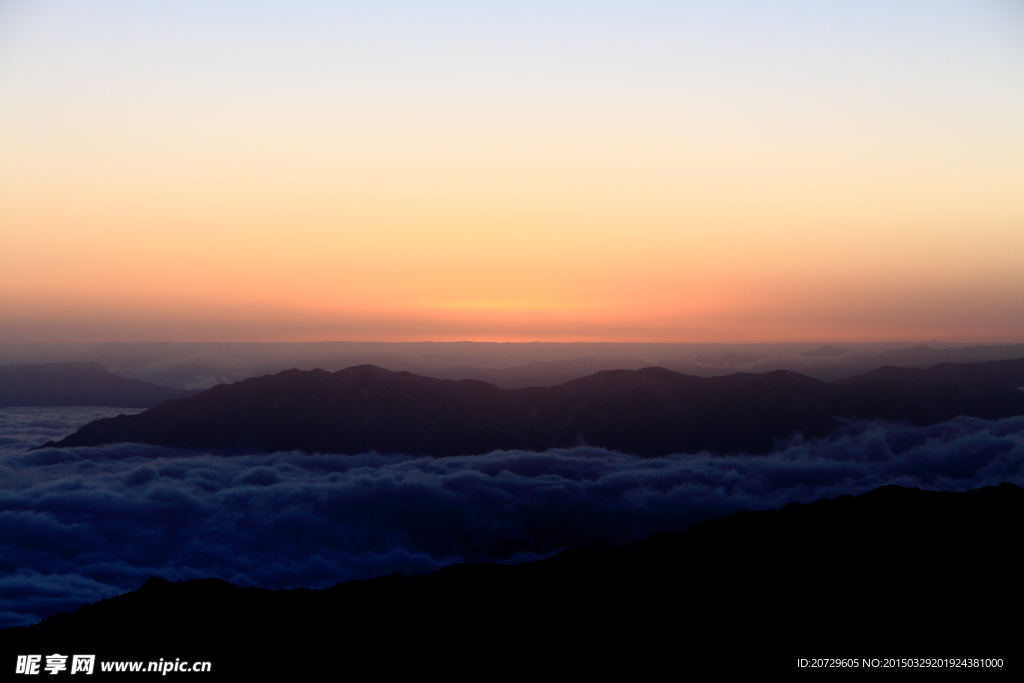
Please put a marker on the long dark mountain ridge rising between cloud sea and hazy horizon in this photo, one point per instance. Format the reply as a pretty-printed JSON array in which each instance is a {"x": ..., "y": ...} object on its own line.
[{"x": 649, "y": 412}]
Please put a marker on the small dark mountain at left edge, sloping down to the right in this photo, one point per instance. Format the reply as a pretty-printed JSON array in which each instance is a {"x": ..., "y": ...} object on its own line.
[{"x": 51, "y": 385}]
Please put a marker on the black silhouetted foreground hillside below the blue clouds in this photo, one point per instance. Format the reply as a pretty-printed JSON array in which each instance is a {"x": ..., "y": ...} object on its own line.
[{"x": 895, "y": 573}]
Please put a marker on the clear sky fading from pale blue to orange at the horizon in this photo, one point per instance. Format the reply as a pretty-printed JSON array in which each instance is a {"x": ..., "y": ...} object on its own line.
[{"x": 513, "y": 172}]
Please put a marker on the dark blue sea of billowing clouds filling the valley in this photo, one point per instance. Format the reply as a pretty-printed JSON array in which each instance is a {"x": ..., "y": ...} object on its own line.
[{"x": 81, "y": 525}]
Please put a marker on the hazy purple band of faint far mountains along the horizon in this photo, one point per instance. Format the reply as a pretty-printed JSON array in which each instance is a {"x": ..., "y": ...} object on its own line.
[{"x": 510, "y": 366}]
